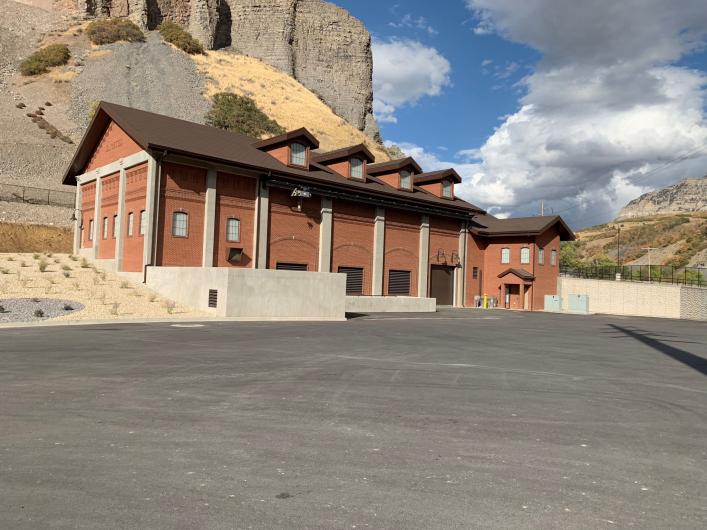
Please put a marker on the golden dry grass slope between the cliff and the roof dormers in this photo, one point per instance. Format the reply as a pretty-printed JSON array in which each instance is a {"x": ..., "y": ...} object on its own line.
[{"x": 282, "y": 98}]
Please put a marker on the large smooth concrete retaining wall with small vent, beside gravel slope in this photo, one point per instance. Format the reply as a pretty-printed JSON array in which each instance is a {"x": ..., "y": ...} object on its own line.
[{"x": 254, "y": 293}]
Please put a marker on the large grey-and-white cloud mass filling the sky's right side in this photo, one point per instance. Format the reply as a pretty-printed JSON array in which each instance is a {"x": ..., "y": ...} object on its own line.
[{"x": 606, "y": 112}]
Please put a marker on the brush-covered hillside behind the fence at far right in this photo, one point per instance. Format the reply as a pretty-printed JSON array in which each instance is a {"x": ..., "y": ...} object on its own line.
[{"x": 679, "y": 240}]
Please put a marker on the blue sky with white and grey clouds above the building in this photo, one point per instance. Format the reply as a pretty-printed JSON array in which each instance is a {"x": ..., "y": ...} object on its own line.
[{"x": 583, "y": 105}]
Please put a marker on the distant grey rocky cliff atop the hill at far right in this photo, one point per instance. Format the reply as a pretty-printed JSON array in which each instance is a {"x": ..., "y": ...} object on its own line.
[{"x": 690, "y": 195}]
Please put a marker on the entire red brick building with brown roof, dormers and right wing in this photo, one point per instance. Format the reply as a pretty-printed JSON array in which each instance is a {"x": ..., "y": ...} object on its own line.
[{"x": 155, "y": 191}]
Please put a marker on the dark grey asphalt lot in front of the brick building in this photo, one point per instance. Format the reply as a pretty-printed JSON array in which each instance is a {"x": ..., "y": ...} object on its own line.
[{"x": 464, "y": 419}]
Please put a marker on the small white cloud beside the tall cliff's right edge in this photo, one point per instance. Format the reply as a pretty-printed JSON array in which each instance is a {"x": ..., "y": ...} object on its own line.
[{"x": 404, "y": 71}]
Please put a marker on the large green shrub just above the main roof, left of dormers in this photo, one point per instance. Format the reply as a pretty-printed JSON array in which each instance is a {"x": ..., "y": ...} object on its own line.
[{"x": 240, "y": 114}]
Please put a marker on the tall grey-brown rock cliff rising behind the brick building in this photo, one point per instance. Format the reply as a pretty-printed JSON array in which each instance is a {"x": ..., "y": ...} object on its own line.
[{"x": 317, "y": 43}]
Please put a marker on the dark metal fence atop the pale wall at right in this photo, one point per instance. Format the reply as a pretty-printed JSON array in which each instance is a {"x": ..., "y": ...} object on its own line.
[{"x": 693, "y": 276}]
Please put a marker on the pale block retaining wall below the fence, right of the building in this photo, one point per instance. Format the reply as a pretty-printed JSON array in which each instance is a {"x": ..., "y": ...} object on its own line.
[{"x": 636, "y": 298}]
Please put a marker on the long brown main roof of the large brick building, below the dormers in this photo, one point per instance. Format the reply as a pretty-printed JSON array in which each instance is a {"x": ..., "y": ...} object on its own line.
[{"x": 165, "y": 134}]
